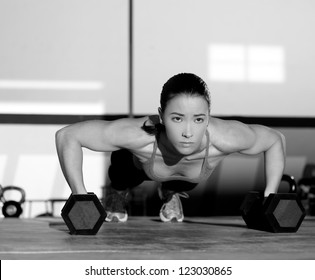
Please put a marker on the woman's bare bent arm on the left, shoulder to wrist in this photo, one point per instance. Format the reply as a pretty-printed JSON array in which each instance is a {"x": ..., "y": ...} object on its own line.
[{"x": 97, "y": 135}]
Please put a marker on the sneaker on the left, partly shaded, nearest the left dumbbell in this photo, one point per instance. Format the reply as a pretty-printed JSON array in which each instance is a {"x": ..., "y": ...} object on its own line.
[{"x": 115, "y": 205}]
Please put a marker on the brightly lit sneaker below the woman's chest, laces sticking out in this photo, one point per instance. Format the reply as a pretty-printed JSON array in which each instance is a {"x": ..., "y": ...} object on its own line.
[{"x": 172, "y": 210}]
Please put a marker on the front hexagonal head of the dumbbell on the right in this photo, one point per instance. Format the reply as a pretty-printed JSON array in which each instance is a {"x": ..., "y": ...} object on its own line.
[{"x": 284, "y": 212}]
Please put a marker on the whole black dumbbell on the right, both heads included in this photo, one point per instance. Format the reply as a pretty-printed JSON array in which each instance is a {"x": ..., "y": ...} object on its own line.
[{"x": 281, "y": 212}]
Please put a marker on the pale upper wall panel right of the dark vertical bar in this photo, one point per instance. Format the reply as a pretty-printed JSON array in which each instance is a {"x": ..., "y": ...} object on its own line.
[{"x": 256, "y": 56}]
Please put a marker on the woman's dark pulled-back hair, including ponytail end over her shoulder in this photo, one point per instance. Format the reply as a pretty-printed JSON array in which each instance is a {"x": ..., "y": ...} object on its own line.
[{"x": 183, "y": 83}]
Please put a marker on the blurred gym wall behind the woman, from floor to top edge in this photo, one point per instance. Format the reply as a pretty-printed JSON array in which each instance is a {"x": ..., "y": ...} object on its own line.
[{"x": 65, "y": 61}]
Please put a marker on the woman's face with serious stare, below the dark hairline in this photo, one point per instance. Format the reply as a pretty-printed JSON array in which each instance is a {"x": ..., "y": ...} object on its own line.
[{"x": 186, "y": 119}]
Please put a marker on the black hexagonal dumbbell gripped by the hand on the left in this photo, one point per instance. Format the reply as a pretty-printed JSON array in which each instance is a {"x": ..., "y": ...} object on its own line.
[{"x": 83, "y": 214}]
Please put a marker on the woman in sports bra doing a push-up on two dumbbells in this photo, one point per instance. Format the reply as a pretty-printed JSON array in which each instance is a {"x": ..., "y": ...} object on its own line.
[{"x": 180, "y": 147}]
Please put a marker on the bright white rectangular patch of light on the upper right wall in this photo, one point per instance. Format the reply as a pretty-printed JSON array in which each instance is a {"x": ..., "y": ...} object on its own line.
[{"x": 239, "y": 63}]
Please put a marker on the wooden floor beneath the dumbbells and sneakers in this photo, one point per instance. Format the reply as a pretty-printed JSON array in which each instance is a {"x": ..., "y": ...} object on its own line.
[{"x": 147, "y": 238}]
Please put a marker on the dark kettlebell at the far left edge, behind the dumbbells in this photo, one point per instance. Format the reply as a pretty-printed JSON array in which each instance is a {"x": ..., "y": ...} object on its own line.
[{"x": 12, "y": 208}]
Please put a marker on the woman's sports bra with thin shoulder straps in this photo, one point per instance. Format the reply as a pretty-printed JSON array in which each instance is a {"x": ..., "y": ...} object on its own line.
[{"x": 205, "y": 172}]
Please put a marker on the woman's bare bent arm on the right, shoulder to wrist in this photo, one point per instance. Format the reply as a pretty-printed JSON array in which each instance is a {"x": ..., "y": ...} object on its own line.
[{"x": 252, "y": 140}]
